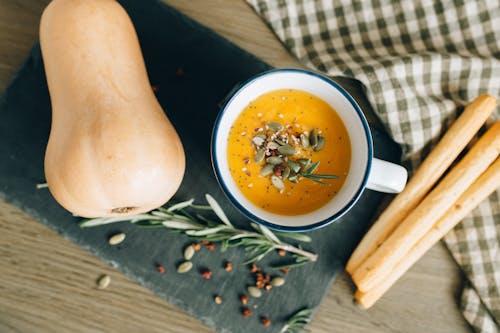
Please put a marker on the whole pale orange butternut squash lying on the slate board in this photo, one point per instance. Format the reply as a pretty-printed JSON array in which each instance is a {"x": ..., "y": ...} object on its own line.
[{"x": 111, "y": 150}]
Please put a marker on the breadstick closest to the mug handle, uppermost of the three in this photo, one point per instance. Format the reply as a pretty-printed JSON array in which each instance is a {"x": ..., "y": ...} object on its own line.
[{"x": 432, "y": 168}]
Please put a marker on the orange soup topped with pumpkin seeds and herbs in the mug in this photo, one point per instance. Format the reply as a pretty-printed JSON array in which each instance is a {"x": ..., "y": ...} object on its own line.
[{"x": 289, "y": 152}]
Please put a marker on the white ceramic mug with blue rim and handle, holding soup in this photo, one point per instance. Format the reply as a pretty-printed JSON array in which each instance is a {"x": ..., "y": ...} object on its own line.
[{"x": 365, "y": 170}]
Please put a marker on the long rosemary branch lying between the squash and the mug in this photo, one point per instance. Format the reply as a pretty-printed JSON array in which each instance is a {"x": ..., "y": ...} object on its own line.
[{"x": 257, "y": 242}]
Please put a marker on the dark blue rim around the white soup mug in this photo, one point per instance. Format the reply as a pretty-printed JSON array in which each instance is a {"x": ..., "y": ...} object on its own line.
[{"x": 310, "y": 227}]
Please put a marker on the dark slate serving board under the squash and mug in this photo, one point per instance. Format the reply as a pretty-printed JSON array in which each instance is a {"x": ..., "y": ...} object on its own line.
[{"x": 211, "y": 66}]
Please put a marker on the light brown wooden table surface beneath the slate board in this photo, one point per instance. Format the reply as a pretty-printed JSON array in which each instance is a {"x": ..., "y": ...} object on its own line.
[{"x": 47, "y": 284}]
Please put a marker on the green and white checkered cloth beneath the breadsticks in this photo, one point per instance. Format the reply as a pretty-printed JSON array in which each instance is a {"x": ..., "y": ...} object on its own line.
[{"x": 421, "y": 62}]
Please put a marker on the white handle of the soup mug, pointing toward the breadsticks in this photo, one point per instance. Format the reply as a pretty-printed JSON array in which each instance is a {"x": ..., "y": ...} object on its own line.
[{"x": 386, "y": 177}]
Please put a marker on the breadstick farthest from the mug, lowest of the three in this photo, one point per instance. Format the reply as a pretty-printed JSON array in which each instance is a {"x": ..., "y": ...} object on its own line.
[{"x": 488, "y": 182}]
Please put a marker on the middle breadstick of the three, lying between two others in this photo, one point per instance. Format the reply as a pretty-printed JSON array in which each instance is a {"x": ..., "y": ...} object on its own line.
[{"x": 436, "y": 203}]
